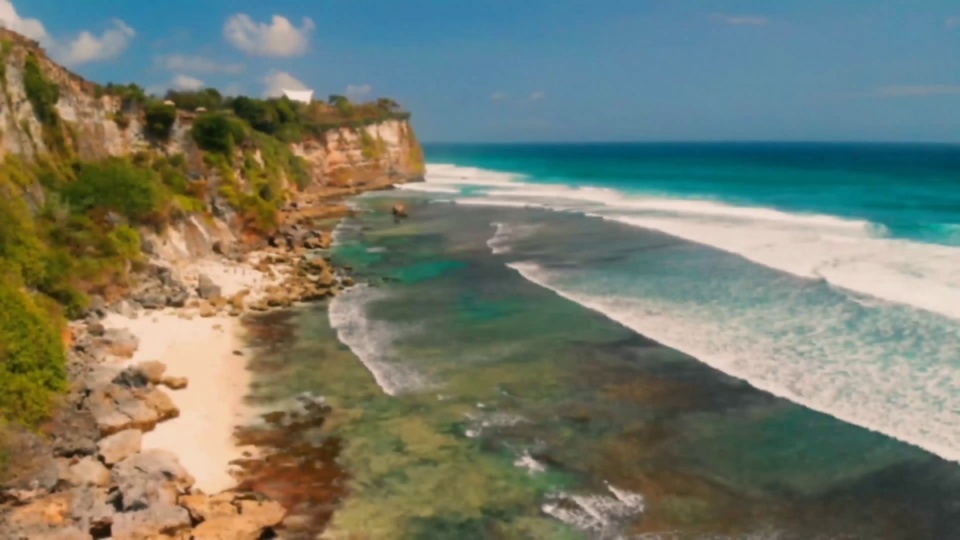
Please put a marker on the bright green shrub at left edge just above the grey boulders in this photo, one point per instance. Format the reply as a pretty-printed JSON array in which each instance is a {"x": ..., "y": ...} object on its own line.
[{"x": 32, "y": 360}]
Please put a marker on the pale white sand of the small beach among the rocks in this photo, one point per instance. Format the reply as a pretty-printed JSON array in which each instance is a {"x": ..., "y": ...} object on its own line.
[{"x": 200, "y": 349}]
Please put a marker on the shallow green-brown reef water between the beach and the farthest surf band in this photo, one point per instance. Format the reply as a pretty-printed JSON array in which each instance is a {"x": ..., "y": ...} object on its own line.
[{"x": 474, "y": 403}]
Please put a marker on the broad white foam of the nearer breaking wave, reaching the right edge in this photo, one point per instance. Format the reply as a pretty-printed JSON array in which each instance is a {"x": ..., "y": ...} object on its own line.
[{"x": 868, "y": 379}]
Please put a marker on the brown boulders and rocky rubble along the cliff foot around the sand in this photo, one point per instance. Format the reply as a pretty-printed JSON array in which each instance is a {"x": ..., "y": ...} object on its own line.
[{"x": 89, "y": 474}]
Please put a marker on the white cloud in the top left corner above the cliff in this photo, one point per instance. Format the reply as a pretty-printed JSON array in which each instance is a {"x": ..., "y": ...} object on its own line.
[{"x": 85, "y": 47}]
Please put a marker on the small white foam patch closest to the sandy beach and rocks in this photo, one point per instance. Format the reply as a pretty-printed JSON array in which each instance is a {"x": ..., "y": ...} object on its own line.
[{"x": 372, "y": 341}]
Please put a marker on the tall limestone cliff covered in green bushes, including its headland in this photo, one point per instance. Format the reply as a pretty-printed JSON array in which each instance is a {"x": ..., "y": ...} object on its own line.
[{"x": 100, "y": 186}]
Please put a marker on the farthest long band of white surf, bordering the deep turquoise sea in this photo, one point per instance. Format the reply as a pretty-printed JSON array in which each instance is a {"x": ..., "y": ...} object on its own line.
[{"x": 847, "y": 253}]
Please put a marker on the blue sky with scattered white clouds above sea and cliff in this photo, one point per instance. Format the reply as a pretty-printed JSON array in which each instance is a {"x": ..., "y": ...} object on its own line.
[{"x": 549, "y": 70}]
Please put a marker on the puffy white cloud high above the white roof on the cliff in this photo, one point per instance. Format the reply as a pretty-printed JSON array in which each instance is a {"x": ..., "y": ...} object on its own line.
[{"x": 278, "y": 38}]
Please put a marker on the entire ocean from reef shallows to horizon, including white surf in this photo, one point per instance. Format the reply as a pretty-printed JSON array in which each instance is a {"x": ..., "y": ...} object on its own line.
[{"x": 695, "y": 341}]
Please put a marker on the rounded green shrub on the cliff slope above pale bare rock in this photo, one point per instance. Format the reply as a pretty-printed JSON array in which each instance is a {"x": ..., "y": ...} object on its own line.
[{"x": 120, "y": 186}]
